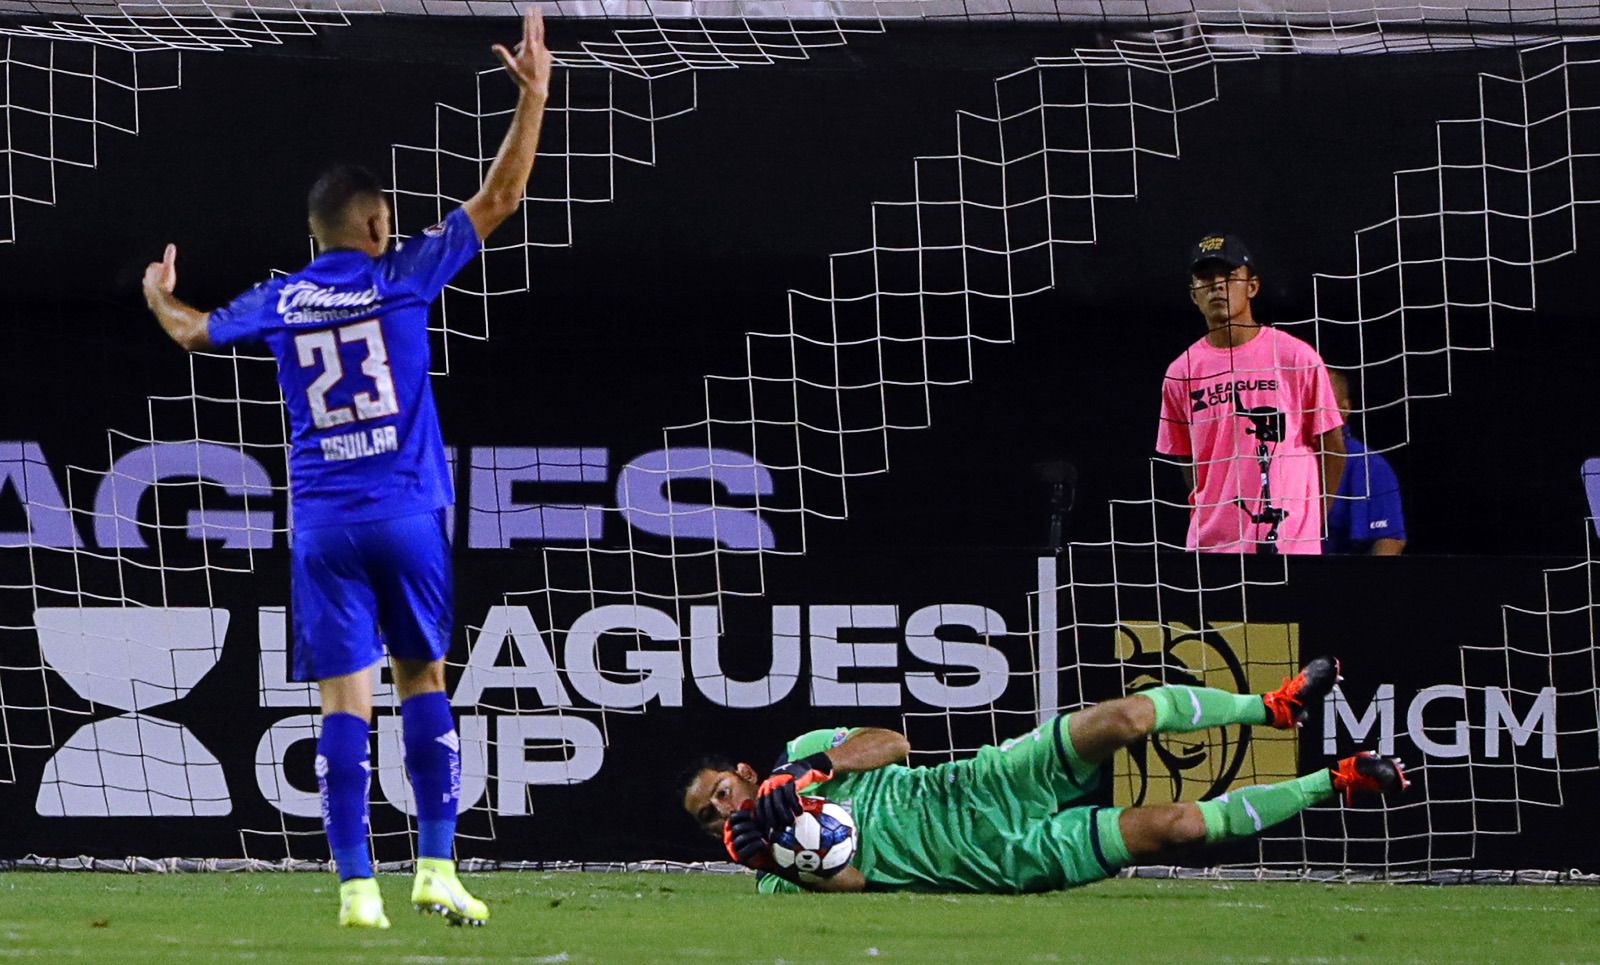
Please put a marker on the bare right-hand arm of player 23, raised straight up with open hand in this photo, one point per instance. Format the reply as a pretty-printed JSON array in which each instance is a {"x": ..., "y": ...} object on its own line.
[{"x": 508, "y": 180}]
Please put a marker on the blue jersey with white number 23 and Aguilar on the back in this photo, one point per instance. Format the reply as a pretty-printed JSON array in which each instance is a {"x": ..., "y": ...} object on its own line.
[{"x": 350, "y": 334}]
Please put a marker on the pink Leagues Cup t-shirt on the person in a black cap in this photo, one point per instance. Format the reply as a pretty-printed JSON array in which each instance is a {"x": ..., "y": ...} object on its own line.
[{"x": 1212, "y": 402}]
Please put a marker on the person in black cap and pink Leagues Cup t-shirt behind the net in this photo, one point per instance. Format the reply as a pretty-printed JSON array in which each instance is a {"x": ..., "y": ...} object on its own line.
[{"x": 1250, "y": 415}]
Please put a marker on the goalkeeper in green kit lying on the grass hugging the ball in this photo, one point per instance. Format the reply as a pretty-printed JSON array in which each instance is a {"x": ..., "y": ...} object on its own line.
[{"x": 1007, "y": 820}]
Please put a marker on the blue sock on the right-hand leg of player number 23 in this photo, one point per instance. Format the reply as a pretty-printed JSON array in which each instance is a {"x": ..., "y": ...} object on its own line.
[{"x": 433, "y": 761}]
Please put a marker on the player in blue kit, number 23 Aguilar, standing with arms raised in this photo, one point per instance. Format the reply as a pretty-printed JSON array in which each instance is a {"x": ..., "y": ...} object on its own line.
[{"x": 369, "y": 482}]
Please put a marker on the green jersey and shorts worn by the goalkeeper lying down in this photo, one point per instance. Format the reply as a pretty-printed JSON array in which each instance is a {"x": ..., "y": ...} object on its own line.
[{"x": 962, "y": 827}]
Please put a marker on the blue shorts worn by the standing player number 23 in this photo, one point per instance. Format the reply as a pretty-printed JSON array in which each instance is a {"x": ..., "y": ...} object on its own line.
[{"x": 361, "y": 588}]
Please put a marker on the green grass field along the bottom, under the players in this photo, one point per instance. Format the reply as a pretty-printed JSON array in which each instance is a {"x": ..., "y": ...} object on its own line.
[{"x": 706, "y": 918}]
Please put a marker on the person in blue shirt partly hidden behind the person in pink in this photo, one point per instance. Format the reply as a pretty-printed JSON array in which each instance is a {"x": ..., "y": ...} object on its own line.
[{"x": 1367, "y": 518}]
